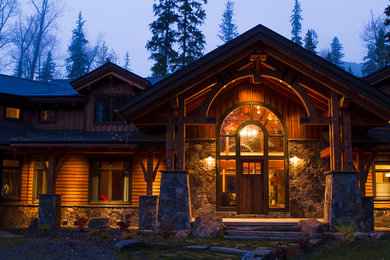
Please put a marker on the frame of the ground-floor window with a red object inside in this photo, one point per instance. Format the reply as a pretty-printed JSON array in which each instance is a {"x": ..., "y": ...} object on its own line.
[{"x": 110, "y": 201}]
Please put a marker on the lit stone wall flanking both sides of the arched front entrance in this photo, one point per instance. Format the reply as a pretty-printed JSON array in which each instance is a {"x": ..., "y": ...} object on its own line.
[{"x": 307, "y": 180}]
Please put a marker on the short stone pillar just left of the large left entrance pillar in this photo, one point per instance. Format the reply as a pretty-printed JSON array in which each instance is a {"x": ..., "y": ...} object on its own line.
[{"x": 147, "y": 212}]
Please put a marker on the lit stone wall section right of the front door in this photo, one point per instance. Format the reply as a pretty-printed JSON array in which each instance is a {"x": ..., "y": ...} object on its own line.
[{"x": 307, "y": 179}]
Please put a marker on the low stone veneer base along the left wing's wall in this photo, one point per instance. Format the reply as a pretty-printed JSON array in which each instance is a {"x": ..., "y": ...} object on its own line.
[{"x": 18, "y": 216}]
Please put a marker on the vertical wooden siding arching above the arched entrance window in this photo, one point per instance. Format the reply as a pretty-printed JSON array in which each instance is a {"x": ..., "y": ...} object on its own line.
[{"x": 244, "y": 92}]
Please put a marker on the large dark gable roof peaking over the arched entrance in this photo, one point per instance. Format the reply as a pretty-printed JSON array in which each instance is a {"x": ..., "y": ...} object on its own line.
[{"x": 308, "y": 64}]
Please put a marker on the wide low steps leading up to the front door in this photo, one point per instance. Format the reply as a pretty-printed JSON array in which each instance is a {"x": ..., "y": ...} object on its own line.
[{"x": 282, "y": 231}]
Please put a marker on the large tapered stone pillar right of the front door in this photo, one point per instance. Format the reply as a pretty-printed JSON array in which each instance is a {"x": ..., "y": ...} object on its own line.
[{"x": 342, "y": 199}]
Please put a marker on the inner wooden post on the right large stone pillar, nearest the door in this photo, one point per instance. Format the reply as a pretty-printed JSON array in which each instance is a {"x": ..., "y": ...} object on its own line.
[{"x": 334, "y": 133}]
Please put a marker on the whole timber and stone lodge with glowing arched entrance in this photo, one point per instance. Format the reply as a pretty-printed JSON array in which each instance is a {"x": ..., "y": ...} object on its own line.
[{"x": 260, "y": 127}]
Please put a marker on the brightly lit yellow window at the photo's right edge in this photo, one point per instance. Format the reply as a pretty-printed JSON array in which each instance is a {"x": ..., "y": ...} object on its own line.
[{"x": 382, "y": 180}]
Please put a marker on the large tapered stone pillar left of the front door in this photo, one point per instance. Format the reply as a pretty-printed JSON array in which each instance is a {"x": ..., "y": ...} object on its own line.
[{"x": 174, "y": 204}]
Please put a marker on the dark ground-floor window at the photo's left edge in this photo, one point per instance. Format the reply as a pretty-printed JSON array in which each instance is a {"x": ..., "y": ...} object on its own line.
[{"x": 11, "y": 179}]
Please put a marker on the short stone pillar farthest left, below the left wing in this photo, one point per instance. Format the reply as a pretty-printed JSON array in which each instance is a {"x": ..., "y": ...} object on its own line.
[{"x": 49, "y": 210}]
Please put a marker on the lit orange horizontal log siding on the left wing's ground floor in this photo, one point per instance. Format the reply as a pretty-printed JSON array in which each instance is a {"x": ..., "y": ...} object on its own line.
[{"x": 73, "y": 181}]
